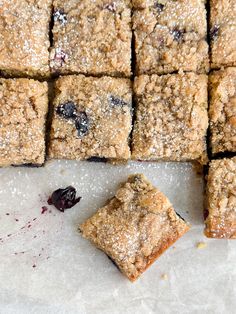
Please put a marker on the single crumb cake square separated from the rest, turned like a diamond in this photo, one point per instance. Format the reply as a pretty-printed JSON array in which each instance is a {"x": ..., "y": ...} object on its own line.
[{"x": 135, "y": 227}]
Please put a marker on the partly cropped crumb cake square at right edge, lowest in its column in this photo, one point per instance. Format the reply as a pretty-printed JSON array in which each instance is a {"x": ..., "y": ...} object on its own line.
[{"x": 221, "y": 199}]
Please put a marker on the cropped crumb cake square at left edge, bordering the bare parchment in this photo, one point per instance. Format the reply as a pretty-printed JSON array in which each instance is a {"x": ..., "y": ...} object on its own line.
[{"x": 23, "y": 110}]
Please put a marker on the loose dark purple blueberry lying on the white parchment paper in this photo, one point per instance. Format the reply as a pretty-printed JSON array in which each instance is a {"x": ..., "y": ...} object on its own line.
[{"x": 64, "y": 198}]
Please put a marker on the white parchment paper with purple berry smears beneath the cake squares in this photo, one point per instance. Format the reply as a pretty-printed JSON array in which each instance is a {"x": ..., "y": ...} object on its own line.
[{"x": 77, "y": 278}]
